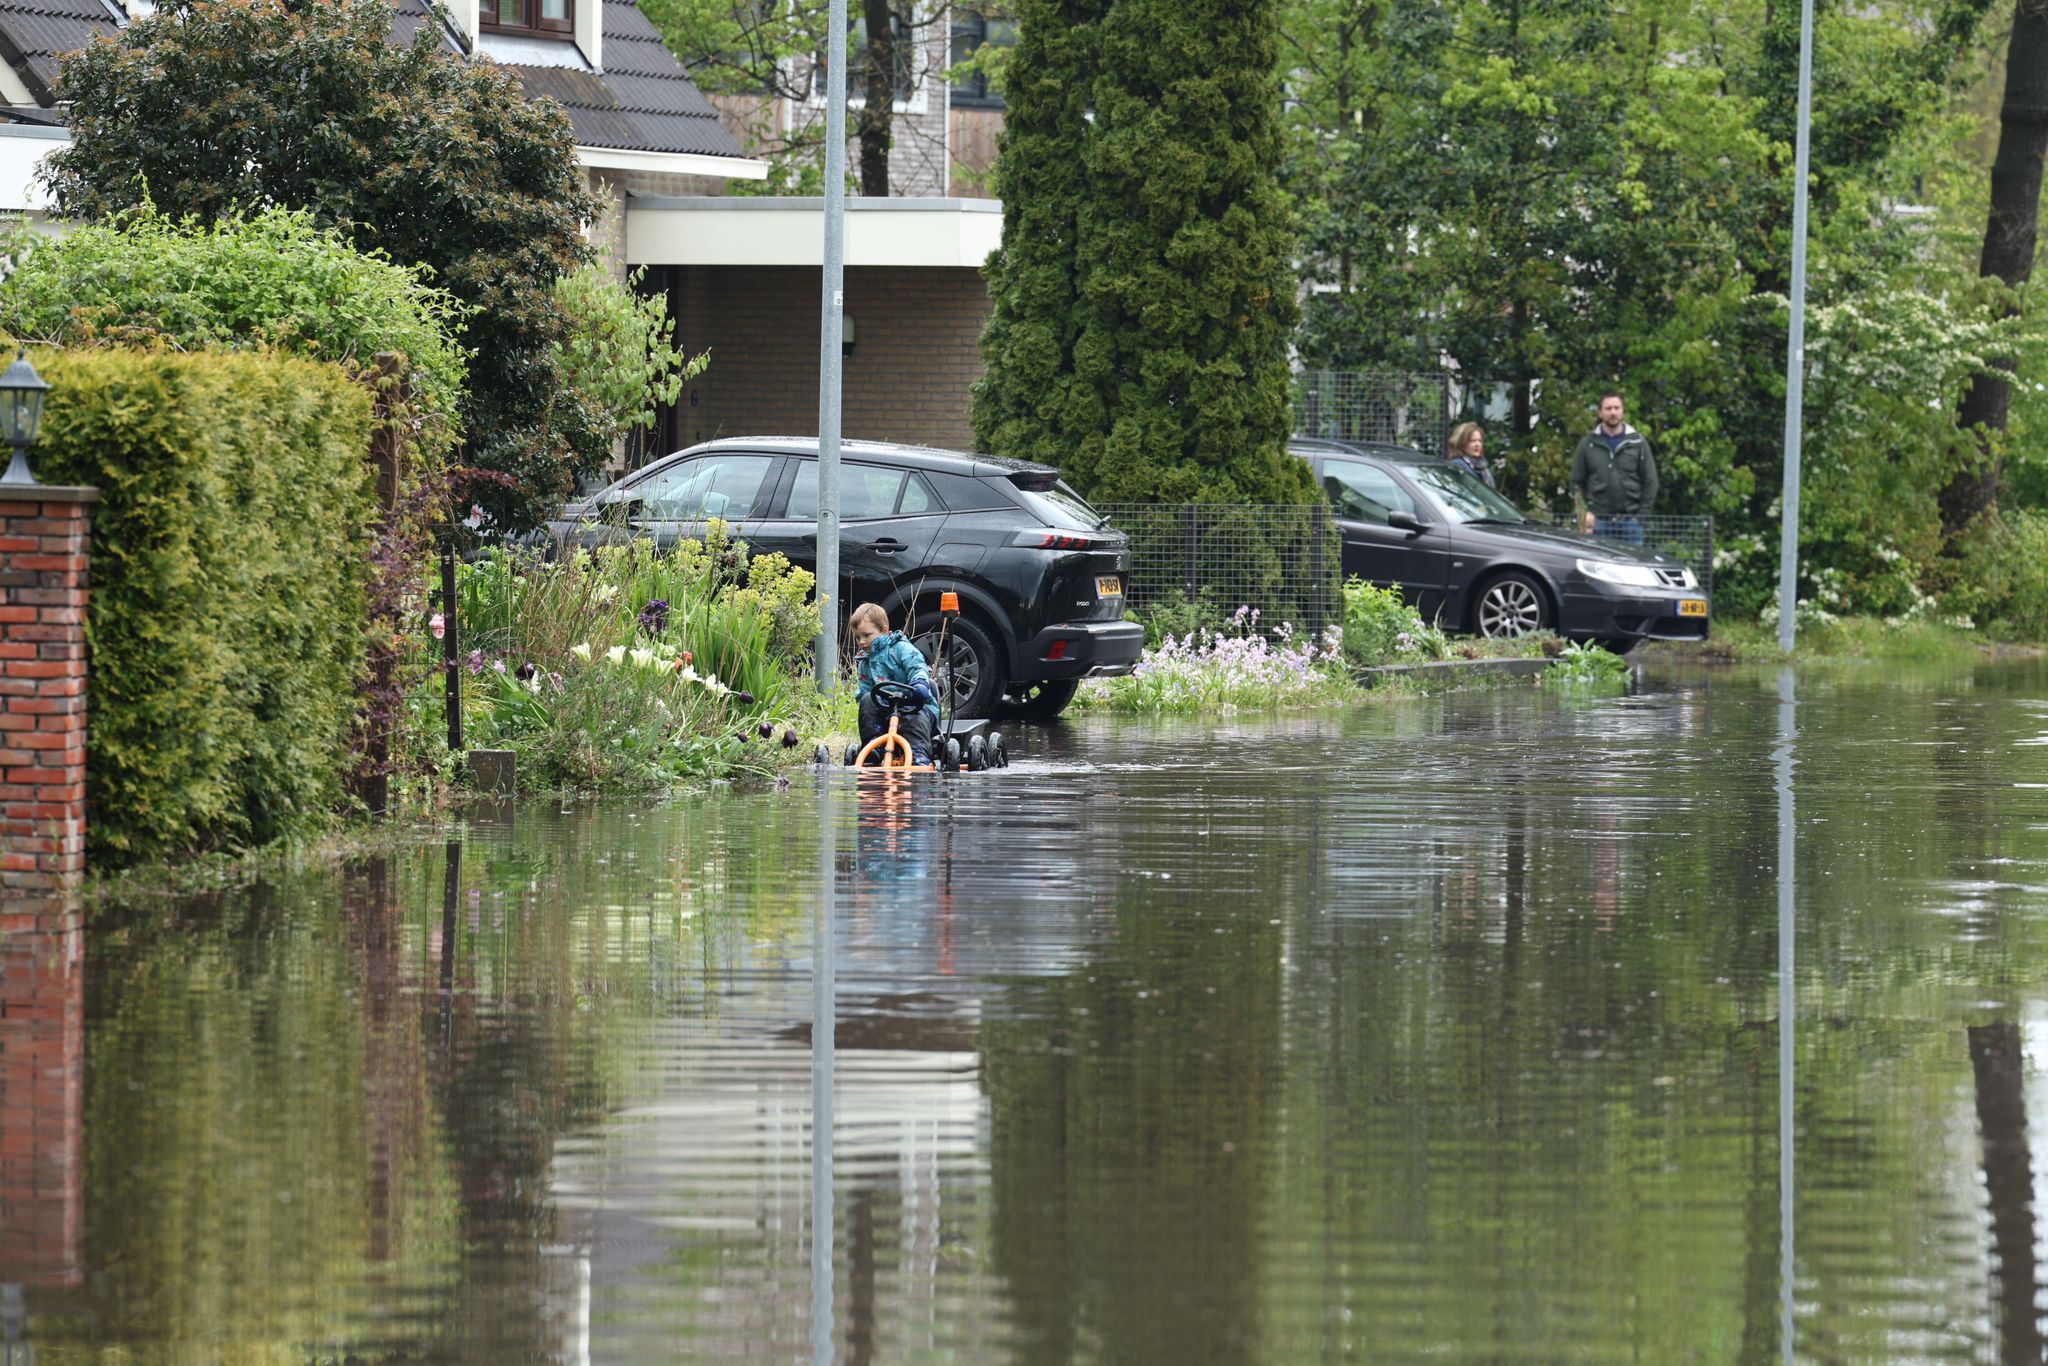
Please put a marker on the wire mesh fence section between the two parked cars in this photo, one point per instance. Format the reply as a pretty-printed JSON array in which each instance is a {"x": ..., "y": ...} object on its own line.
[{"x": 1201, "y": 562}]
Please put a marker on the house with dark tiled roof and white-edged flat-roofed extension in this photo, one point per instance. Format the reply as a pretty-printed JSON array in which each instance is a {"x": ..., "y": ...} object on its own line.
[{"x": 740, "y": 273}]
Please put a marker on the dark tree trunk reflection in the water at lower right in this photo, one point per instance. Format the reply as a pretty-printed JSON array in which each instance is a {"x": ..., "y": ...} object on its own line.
[{"x": 2002, "y": 1115}]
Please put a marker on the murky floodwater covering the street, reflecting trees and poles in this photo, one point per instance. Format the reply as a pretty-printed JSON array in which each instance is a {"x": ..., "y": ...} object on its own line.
[{"x": 1445, "y": 1029}]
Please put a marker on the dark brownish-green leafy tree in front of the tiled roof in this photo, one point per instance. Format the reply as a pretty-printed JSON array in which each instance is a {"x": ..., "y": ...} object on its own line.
[{"x": 212, "y": 108}]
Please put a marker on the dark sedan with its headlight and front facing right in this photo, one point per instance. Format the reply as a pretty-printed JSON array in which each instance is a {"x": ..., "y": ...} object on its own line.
[{"x": 1469, "y": 560}]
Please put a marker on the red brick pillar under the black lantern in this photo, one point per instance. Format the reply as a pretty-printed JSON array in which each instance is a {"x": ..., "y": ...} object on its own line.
[{"x": 44, "y": 538}]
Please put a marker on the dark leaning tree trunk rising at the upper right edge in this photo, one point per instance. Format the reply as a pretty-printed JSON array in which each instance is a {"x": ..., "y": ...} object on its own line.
[{"x": 2016, "y": 196}]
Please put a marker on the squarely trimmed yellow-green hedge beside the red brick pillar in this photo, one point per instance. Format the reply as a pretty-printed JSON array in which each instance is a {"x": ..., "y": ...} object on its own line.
[{"x": 228, "y": 589}]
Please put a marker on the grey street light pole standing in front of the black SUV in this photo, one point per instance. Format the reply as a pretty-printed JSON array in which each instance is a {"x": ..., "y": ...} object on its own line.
[{"x": 828, "y": 353}]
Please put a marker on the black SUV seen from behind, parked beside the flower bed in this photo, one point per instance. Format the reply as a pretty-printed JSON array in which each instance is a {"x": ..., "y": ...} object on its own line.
[{"x": 1039, "y": 572}]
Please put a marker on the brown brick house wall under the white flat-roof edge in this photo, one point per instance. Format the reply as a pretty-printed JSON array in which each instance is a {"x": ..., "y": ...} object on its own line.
[{"x": 910, "y": 378}]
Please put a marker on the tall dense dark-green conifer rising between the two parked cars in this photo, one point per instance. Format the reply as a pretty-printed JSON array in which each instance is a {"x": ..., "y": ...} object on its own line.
[{"x": 1146, "y": 288}]
